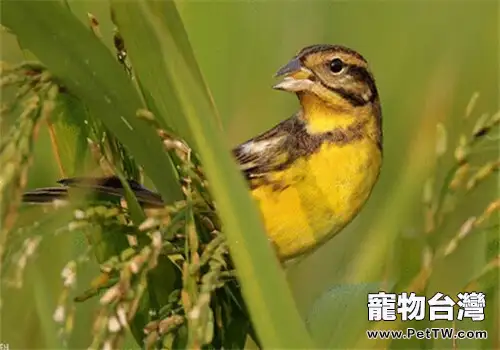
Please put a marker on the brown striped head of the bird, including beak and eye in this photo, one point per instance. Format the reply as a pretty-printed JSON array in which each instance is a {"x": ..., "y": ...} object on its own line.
[{"x": 335, "y": 74}]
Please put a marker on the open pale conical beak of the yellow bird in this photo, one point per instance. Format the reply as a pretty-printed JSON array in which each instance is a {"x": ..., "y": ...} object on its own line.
[{"x": 295, "y": 77}]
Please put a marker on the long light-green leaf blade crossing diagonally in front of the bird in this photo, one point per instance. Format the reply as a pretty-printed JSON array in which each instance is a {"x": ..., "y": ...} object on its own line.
[{"x": 264, "y": 286}]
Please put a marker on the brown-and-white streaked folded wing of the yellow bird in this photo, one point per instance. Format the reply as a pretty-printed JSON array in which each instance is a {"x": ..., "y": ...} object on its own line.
[{"x": 268, "y": 151}]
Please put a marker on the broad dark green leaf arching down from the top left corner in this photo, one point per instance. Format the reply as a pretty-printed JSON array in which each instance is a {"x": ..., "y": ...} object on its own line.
[{"x": 89, "y": 71}]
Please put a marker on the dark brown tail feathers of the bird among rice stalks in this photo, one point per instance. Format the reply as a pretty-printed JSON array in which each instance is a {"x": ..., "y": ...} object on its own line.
[{"x": 109, "y": 186}]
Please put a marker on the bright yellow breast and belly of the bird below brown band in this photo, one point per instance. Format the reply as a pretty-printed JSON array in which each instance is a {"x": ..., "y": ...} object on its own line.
[{"x": 320, "y": 194}]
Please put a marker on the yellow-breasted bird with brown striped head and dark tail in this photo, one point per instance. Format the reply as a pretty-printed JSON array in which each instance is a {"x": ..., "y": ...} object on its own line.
[{"x": 311, "y": 174}]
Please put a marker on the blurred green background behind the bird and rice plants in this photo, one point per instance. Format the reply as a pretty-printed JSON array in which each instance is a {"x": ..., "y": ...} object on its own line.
[{"x": 428, "y": 58}]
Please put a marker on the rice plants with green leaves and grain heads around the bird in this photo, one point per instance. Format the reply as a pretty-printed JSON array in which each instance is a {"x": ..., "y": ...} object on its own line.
[{"x": 184, "y": 275}]
